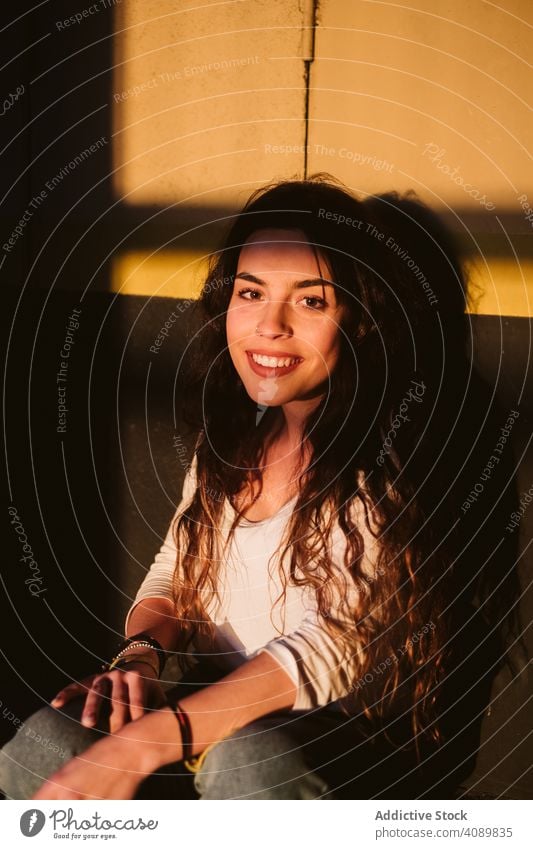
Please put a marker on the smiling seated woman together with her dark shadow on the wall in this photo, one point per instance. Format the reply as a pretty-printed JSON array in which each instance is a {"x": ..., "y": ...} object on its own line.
[{"x": 316, "y": 559}]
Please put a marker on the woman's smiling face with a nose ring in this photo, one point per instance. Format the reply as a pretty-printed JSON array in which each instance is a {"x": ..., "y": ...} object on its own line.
[{"x": 283, "y": 319}]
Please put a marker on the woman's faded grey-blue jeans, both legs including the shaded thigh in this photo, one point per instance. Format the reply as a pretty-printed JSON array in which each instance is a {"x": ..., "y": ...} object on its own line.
[{"x": 284, "y": 755}]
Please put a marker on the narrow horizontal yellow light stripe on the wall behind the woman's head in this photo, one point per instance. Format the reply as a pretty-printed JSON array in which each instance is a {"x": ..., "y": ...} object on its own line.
[{"x": 507, "y": 287}]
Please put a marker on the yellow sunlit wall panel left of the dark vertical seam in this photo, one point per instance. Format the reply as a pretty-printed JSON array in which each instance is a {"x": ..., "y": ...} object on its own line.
[{"x": 202, "y": 97}]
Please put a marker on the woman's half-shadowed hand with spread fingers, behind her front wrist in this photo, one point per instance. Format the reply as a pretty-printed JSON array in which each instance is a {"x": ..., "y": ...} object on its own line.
[{"x": 125, "y": 692}]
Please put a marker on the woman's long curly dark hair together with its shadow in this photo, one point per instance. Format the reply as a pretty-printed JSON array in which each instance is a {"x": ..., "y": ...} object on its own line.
[{"x": 390, "y": 432}]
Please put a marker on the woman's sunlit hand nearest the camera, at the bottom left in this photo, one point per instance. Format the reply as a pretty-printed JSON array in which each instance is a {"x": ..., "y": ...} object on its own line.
[{"x": 112, "y": 768}]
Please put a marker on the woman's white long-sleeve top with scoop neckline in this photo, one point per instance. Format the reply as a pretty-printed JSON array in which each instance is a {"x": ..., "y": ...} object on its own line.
[{"x": 246, "y": 619}]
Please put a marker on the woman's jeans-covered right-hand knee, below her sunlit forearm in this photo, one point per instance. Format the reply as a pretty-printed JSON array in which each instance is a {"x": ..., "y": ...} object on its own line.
[{"x": 261, "y": 761}]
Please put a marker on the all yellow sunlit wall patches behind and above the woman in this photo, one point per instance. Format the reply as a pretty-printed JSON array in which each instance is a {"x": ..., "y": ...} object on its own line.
[{"x": 210, "y": 102}]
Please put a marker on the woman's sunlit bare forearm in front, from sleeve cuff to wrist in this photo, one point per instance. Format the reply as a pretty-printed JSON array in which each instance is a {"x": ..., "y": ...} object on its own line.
[{"x": 258, "y": 687}]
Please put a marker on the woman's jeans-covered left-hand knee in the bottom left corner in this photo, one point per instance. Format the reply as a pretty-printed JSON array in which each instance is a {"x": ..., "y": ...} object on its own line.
[{"x": 41, "y": 746}]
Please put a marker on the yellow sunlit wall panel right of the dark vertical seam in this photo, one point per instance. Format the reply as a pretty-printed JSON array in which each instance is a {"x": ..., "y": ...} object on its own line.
[{"x": 430, "y": 96}]
